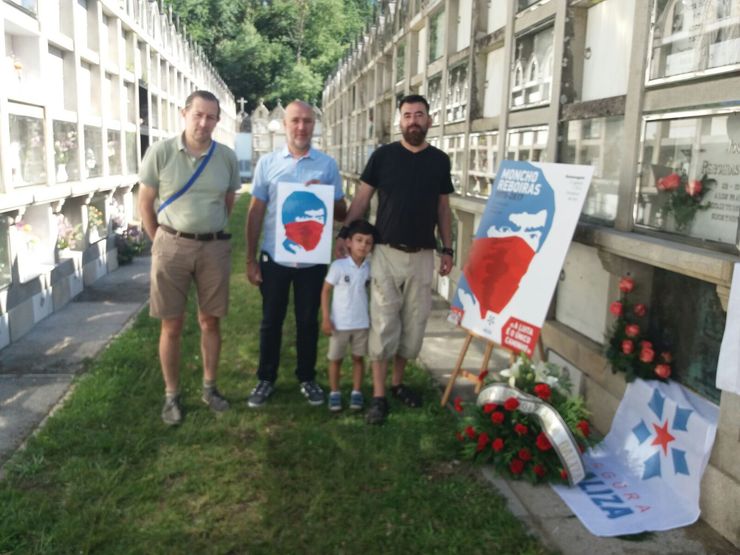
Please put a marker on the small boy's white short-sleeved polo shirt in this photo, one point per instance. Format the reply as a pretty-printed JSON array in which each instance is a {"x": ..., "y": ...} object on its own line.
[{"x": 349, "y": 309}]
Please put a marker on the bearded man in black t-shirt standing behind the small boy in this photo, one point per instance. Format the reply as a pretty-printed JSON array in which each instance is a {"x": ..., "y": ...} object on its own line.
[{"x": 412, "y": 179}]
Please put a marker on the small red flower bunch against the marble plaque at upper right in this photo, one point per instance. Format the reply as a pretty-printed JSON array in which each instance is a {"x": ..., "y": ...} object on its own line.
[{"x": 682, "y": 197}]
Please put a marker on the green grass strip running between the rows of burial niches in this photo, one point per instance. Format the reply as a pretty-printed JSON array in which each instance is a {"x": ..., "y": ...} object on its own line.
[{"x": 106, "y": 476}]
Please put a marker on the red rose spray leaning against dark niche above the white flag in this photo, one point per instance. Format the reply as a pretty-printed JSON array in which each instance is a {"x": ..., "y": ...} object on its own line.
[{"x": 628, "y": 348}]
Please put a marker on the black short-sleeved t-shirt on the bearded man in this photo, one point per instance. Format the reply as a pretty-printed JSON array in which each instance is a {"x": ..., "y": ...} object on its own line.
[{"x": 408, "y": 185}]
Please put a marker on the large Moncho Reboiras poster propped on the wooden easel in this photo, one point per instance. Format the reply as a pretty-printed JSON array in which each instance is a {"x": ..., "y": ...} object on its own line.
[{"x": 518, "y": 251}]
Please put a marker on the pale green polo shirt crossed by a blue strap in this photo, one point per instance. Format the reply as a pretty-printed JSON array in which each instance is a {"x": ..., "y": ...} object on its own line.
[{"x": 167, "y": 166}]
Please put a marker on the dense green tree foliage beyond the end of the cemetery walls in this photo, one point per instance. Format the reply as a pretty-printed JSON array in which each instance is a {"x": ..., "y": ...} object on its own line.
[{"x": 274, "y": 48}]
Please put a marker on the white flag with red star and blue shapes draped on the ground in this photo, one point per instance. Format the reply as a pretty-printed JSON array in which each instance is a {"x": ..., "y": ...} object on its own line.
[{"x": 646, "y": 474}]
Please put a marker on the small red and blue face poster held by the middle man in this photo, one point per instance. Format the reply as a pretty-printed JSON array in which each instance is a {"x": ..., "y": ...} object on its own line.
[{"x": 303, "y": 226}]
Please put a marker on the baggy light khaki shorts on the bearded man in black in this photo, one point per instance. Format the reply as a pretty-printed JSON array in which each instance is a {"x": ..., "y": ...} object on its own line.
[{"x": 400, "y": 301}]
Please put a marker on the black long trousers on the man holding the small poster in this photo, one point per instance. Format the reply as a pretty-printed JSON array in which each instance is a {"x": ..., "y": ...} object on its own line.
[{"x": 275, "y": 289}]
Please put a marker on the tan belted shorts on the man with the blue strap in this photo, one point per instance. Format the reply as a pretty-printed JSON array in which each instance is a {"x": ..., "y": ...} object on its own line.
[{"x": 176, "y": 262}]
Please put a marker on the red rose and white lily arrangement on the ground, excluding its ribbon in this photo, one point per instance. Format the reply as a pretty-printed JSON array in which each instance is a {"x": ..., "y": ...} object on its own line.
[{"x": 513, "y": 441}]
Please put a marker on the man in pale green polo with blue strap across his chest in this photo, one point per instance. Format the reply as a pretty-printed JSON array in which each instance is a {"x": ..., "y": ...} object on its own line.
[{"x": 189, "y": 243}]
